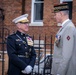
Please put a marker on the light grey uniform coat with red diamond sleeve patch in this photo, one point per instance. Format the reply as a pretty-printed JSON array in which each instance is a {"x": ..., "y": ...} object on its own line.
[{"x": 63, "y": 49}]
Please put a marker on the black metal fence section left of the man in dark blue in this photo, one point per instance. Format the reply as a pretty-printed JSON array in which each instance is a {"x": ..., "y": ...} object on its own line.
[{"x": 3, "y": 33}]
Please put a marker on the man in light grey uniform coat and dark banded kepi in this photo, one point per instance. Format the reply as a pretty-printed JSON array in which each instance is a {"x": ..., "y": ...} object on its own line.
[{"x": 64, "y": 41}]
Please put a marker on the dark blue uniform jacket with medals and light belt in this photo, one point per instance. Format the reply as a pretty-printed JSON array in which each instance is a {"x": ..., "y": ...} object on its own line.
[{"x": 20, "y": 53}]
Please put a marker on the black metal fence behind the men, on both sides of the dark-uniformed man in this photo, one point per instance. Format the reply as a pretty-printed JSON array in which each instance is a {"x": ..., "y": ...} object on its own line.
[{"x": 43, "y": 46}]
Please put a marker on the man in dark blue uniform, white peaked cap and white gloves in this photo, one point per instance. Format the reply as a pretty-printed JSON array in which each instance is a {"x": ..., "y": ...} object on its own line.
[{"x": 20, "y": 49}]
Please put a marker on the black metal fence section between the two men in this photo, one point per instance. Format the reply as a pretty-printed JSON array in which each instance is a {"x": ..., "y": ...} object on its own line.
[{"x": 44, "y": 55}]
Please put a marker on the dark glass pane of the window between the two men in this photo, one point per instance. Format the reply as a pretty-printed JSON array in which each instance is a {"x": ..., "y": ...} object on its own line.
[{"x": 38, "y": 11}]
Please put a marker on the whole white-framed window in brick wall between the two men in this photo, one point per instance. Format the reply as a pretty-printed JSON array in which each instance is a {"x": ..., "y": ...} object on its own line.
[{"x": 37, "y": 11}]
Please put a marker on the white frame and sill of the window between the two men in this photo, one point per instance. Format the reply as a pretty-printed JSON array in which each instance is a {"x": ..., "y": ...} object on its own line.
[{"x": 32, "y": 16}]
